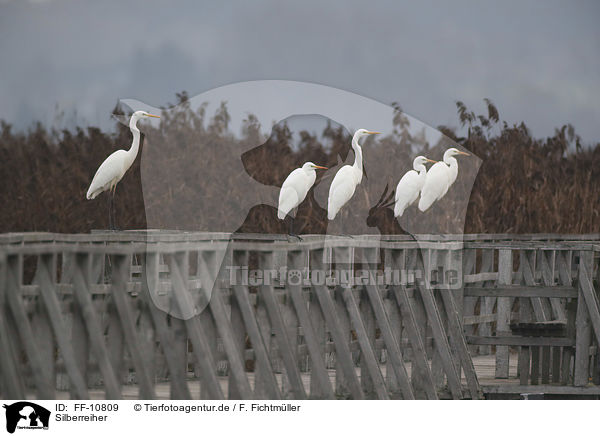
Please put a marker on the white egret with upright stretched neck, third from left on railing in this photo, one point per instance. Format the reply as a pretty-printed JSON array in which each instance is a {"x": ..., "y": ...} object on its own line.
[{"x": 347, "y": 178}]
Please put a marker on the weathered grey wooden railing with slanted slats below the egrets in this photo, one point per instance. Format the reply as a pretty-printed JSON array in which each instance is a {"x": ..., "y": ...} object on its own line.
[{"x": 203, "y": 315}]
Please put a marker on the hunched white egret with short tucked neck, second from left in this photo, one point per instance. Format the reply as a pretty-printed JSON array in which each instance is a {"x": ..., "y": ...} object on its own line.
[{"x": 295, "y": 188}]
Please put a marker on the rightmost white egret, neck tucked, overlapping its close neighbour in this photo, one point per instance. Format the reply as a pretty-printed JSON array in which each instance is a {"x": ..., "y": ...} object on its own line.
[{"x": 439, "y": 178}]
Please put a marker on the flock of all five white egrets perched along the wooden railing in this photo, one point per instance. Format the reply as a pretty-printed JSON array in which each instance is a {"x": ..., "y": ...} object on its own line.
[{"x": 431, "y": 185}]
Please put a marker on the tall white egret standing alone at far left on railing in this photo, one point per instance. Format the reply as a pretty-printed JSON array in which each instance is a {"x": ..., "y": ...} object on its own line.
[{"x": 112, "y": 170}]
